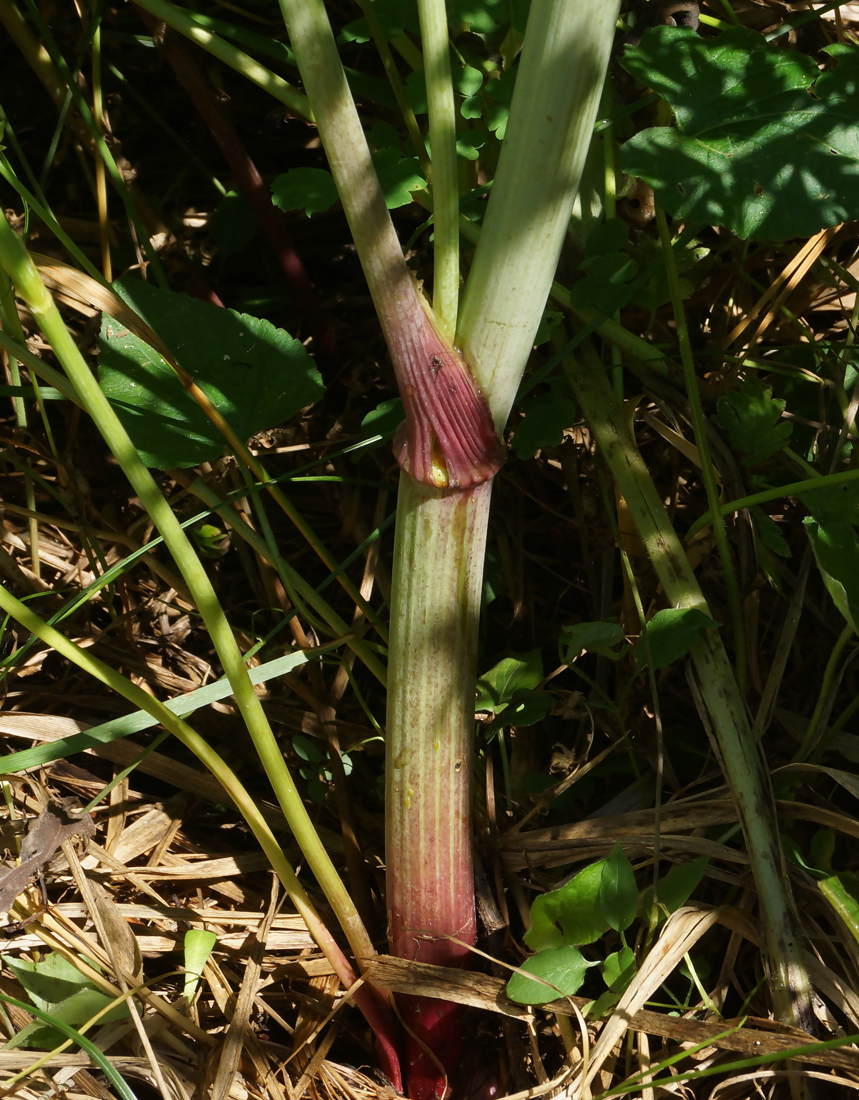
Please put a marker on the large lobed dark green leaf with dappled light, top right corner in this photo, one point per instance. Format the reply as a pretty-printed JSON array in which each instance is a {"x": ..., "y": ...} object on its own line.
[{"x": 765, "y": 145}]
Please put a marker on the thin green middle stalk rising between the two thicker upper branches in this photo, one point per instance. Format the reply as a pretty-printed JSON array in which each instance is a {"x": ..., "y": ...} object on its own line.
[{"x": 445, "y": 180}]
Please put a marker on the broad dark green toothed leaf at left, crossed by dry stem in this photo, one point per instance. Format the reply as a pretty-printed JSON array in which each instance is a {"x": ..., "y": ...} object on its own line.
[{"x": 256, "y": 376}]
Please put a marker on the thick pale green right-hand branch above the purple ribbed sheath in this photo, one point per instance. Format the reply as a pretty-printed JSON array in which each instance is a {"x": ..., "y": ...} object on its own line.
[{"x": 558, "y": 89}]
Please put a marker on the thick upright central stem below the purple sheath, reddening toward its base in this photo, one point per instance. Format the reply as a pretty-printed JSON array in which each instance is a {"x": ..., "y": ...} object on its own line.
[{"x": 436, "y": 603}]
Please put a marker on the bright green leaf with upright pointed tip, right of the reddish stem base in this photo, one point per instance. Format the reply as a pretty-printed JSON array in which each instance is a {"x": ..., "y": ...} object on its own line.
[{"x": 571, "y": 915}]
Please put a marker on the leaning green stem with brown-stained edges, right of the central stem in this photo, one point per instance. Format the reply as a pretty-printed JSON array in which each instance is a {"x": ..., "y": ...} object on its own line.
[{"x": 720, "y": 701}]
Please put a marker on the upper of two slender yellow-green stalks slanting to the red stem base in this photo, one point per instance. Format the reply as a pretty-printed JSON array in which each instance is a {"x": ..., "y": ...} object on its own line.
[{"x": 20, "y": 267}]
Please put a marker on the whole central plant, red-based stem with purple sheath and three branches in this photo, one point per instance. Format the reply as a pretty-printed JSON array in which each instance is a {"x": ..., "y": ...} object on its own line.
[{"x": 449, "y": 449}]
